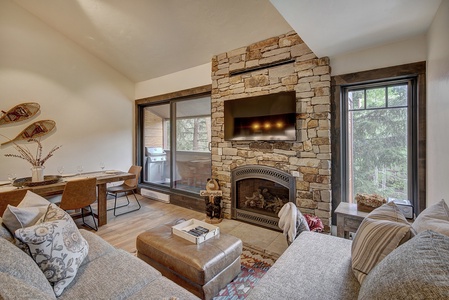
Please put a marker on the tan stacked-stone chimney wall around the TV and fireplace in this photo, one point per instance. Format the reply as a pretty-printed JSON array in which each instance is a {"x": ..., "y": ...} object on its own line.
[{"x": 309, "y": 158}]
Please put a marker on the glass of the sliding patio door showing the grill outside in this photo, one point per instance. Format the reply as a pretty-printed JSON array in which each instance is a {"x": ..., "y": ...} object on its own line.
[{"x": 175, "y": 143}]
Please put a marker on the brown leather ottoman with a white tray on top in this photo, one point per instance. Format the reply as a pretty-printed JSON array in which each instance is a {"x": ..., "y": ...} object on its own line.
[{"x": 203, "y": 269}]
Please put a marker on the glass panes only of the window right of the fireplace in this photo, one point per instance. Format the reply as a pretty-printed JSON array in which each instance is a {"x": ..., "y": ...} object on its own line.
[{"x": 378, "y": 150}]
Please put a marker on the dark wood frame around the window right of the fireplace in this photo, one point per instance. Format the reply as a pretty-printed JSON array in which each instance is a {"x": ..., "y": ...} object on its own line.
[{"x": 415, "y": 71}]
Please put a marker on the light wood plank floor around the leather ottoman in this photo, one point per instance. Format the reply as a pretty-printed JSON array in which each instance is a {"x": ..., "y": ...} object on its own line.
[{"x": 121, "y": 231}]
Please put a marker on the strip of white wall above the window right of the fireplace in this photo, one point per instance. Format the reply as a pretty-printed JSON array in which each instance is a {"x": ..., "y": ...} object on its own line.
[{"x": 402, "y": 52}]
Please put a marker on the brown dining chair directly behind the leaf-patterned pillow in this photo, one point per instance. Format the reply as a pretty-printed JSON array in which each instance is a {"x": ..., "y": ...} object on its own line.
[{"x": 79, "y": 195}]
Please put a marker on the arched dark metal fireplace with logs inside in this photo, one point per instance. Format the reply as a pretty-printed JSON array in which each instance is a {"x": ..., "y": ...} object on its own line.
[{"x": 258, "y": 194}]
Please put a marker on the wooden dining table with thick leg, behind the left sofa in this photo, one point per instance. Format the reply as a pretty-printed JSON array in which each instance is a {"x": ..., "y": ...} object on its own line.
[{"x": 102, "y": 180}]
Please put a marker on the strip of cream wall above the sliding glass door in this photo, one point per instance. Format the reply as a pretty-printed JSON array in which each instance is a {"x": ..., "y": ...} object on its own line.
[{"x": 182, "y": 80}]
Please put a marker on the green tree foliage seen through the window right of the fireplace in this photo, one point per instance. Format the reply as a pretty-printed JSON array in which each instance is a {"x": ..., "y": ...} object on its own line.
[{"x": 379, "y": 142}]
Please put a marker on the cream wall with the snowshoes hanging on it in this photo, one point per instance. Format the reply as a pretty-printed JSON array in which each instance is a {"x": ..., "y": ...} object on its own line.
[{"x": 91, "y": 103}]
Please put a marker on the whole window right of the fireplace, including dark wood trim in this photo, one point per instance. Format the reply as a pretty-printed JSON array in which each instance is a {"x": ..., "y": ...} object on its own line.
[{"x": 378, "y": 134}]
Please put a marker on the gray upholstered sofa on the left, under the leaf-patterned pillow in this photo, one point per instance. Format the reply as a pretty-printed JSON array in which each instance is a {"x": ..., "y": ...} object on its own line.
[{"x": 106, "y": 273}]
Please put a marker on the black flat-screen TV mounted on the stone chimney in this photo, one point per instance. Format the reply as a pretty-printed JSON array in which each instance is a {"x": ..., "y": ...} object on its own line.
[{"x": 268, "y": 117}]
